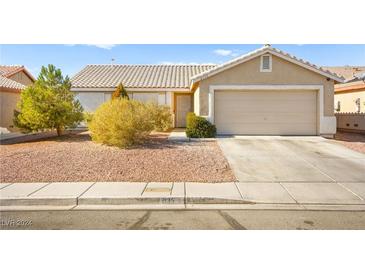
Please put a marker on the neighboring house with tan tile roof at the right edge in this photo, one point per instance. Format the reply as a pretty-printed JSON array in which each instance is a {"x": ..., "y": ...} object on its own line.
[{"x": 350, "y": 96}]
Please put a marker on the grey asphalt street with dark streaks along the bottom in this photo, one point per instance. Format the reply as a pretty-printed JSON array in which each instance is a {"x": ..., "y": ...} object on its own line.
[{"x": 183, "y": 219}]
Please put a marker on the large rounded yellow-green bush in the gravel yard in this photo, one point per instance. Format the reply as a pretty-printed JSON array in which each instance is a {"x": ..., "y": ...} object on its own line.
[{"x": 121, "y": 122}]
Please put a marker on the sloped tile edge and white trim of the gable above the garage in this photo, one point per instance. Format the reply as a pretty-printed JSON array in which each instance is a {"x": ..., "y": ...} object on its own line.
[{"x": 274, "y": 51}]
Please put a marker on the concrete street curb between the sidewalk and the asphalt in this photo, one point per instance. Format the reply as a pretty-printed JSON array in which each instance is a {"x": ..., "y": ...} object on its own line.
[{"x": 160, "y": 203}]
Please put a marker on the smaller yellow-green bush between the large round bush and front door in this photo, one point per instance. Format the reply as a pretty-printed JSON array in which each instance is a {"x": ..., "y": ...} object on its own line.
[{"x": 160, "y": 116}]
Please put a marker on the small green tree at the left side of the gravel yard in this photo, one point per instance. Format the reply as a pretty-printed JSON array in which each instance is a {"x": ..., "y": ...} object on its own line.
[{"x": 48, "y": 103}]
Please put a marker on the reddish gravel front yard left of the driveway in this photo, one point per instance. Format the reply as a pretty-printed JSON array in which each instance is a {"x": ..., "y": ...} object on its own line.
[{"x": 75, "y": 158}]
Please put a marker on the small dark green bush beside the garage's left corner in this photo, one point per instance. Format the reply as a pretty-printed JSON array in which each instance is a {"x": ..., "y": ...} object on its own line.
[{"x": 199, "y": 127}]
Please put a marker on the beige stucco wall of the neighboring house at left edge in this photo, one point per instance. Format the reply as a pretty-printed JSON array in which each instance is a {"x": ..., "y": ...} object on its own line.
[{"x": 8, "y": 101}]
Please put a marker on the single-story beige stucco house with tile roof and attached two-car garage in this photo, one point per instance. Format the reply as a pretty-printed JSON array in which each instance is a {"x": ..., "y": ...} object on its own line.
[{"x": 264, "y": 92}]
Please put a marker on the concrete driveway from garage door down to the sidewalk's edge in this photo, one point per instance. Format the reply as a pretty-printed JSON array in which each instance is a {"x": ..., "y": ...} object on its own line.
[{"x": 292, "y": 159}]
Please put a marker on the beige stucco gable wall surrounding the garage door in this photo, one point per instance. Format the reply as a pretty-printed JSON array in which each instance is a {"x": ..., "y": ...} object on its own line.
[{"x": 283, "y": 72}]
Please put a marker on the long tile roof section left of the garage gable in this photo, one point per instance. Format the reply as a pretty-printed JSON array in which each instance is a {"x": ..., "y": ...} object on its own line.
[{"x": 137, "y": 76}]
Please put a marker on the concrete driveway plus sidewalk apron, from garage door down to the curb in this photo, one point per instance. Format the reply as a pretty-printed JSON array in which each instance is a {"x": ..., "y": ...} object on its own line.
[{"x": 306, "y": 170}]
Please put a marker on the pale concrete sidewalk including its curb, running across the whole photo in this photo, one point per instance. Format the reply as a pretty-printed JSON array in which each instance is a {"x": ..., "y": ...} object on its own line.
[{"x": 125, "y": 195}]
